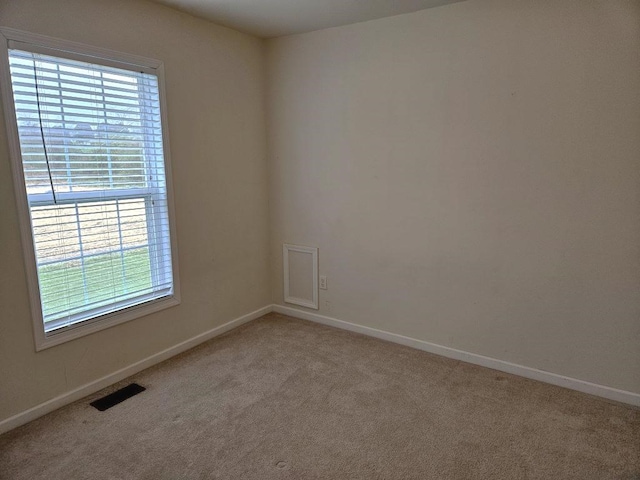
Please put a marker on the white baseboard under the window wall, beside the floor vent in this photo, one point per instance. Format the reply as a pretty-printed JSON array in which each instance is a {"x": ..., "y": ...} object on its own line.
[{"x": 92, "y": 387}]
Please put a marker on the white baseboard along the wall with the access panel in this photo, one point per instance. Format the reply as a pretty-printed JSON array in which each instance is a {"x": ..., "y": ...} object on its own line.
[{"x": 609, "y": 393}]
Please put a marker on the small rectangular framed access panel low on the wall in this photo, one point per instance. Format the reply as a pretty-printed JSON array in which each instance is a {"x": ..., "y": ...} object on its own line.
[{"x": 300, "y": 265}]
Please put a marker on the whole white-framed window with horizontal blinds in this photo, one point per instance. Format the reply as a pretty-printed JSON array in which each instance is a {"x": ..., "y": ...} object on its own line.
[{"x": 92, "y": 179}]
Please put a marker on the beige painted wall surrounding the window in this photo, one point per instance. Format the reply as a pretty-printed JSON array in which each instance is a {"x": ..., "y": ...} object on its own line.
[{"x": 215, "y": 94}]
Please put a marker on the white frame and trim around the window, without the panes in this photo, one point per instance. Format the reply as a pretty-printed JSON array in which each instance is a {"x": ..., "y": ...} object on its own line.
[{"x": 82, "y": 52}]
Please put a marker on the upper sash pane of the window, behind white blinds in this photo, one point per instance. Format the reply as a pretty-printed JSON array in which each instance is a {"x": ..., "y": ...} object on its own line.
[{"x": 83, "y": 126}]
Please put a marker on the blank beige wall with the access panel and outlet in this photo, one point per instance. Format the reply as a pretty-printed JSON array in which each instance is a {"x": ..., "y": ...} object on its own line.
[{"x": 471, "y": 176}]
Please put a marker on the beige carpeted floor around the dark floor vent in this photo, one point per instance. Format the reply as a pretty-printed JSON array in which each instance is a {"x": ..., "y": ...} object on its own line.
[{"x": 282, "y": 398}]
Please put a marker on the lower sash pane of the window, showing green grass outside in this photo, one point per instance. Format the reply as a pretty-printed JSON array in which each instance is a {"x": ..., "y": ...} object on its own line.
[{"x": 90, "y": 254}]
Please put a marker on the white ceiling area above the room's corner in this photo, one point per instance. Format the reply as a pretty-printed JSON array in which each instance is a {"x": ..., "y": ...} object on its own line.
[{"x": 274, "y": 18}]
